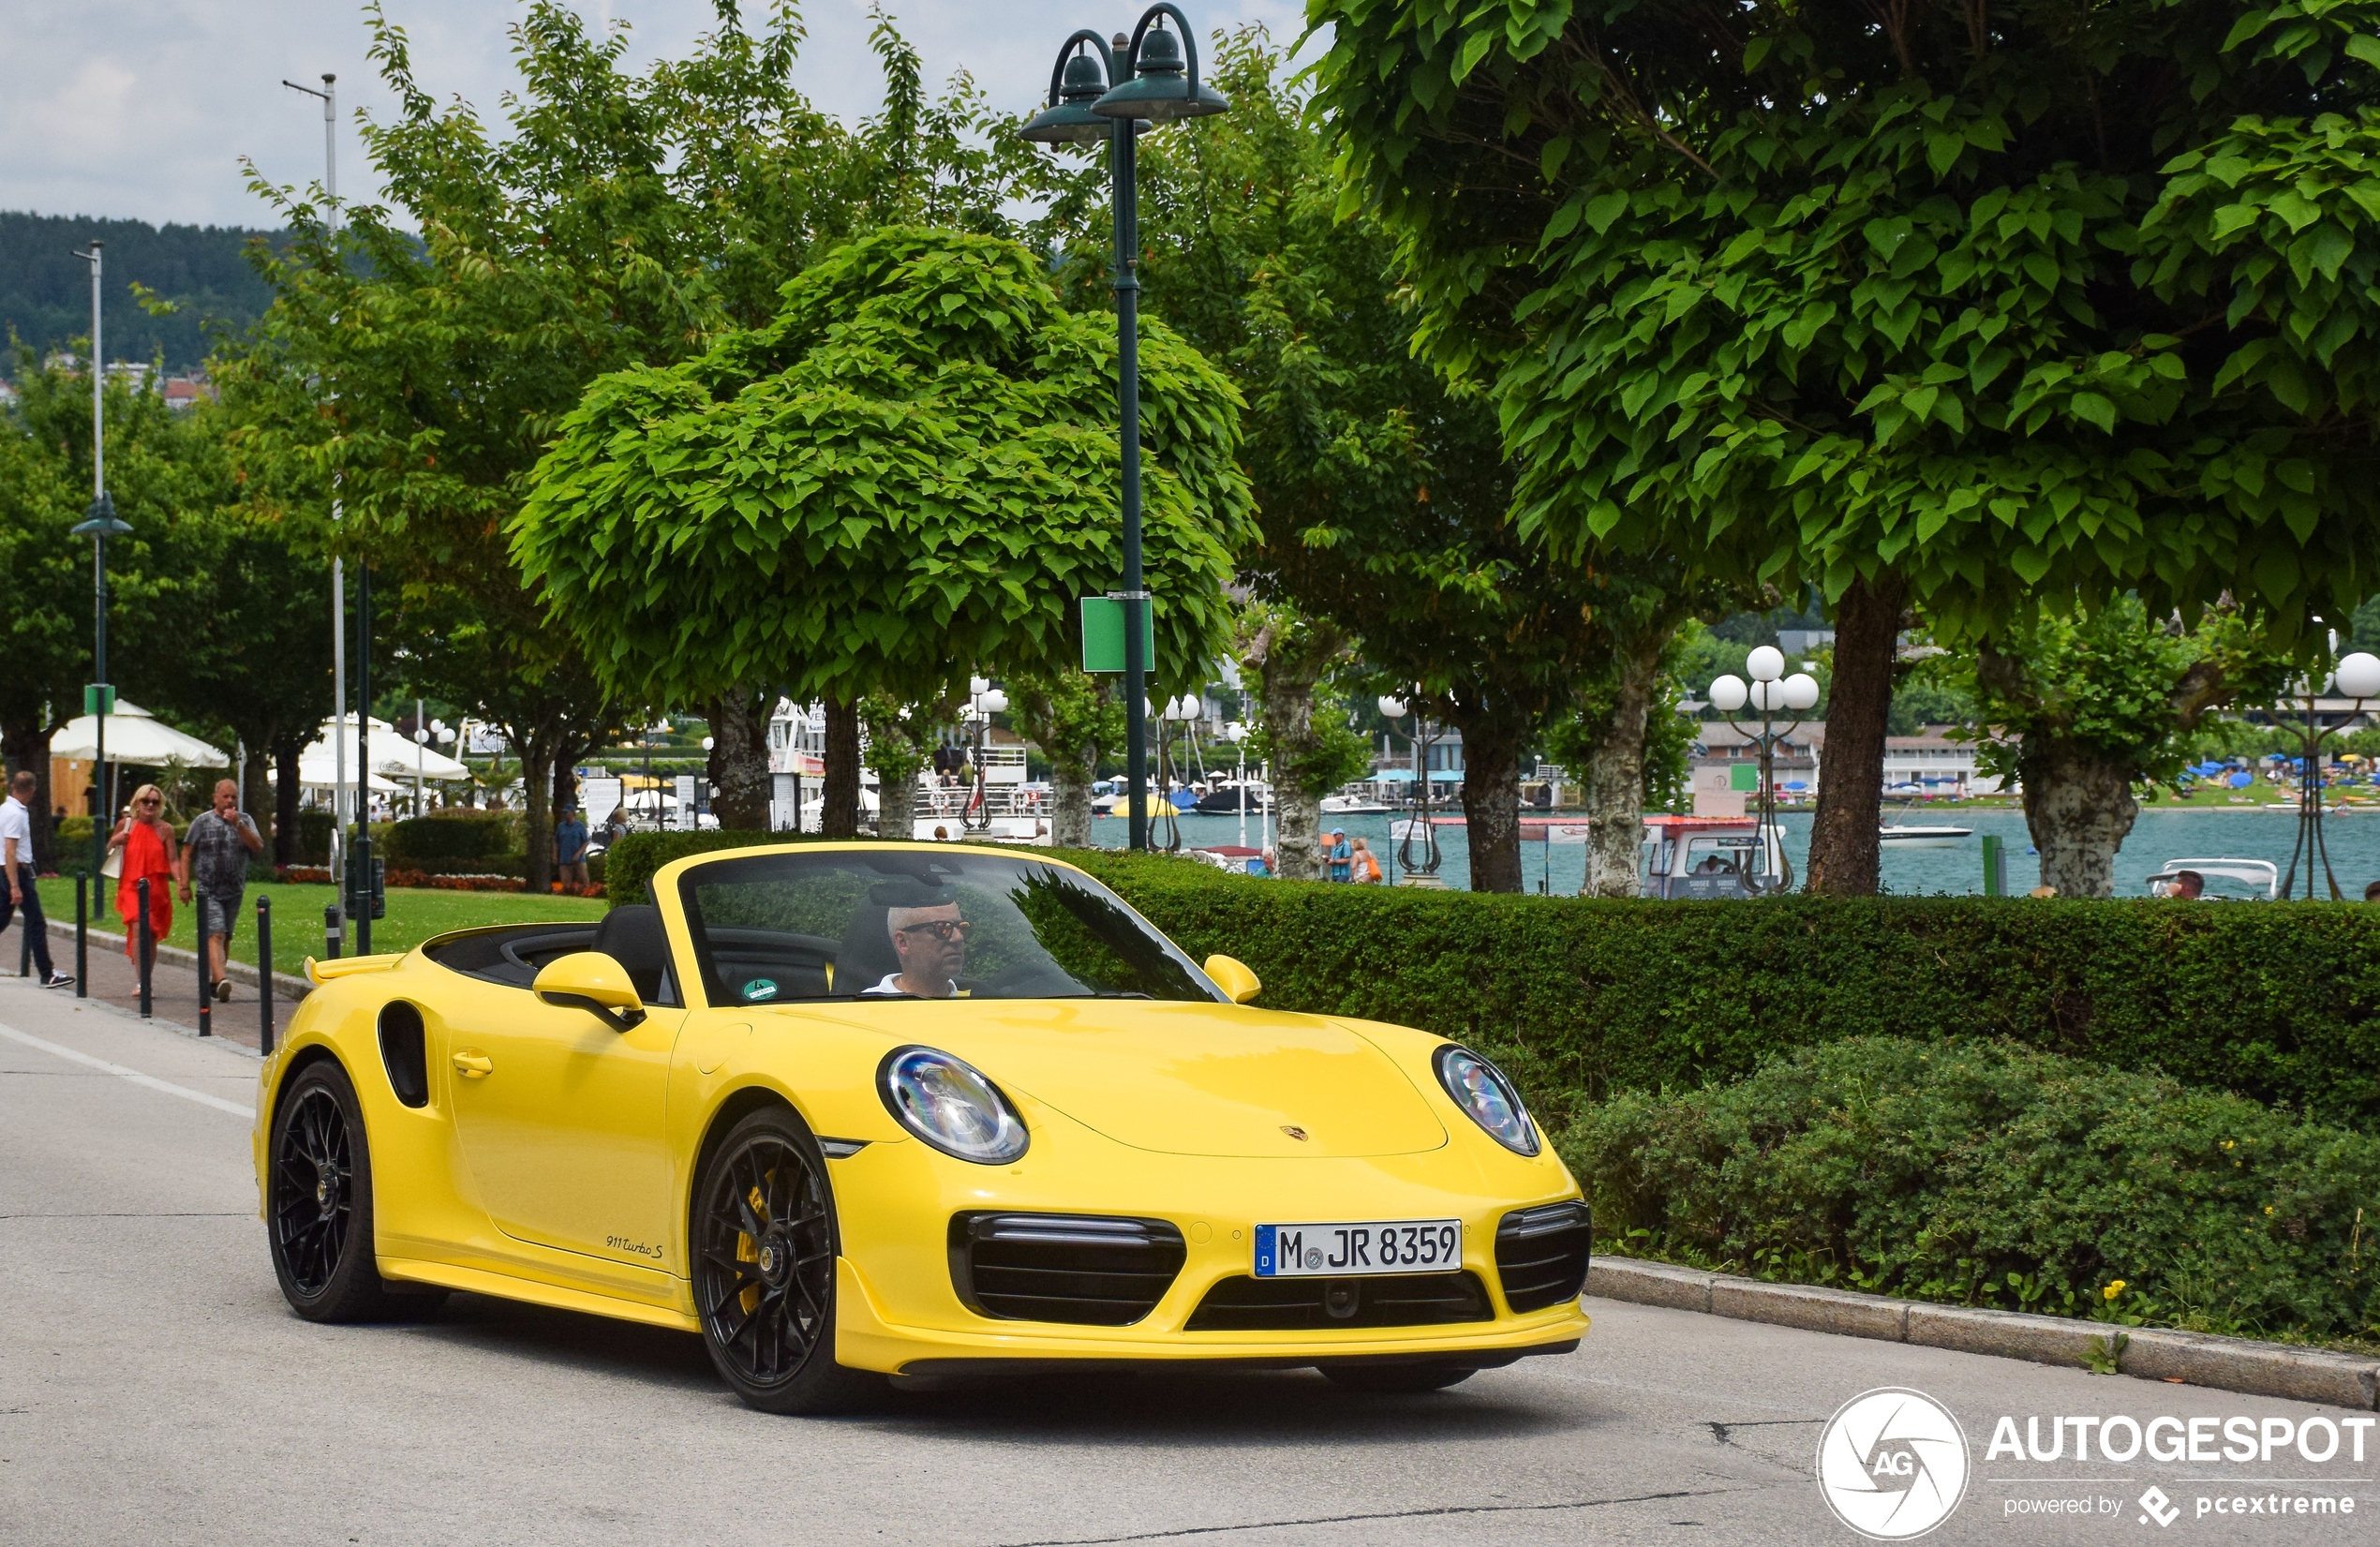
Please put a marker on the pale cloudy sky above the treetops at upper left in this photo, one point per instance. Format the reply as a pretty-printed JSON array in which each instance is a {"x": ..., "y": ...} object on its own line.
[{"x": 144, "y": 108}]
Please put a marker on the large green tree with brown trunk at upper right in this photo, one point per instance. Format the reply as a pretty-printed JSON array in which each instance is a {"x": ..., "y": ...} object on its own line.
[{"x": 1934, "y": 306}]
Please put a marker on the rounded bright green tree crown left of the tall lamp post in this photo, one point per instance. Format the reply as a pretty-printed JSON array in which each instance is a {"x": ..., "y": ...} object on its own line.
[{"x": 908, "y": 475}]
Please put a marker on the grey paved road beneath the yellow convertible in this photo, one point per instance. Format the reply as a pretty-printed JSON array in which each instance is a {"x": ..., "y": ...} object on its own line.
[{"x": 154, "y": 1389}]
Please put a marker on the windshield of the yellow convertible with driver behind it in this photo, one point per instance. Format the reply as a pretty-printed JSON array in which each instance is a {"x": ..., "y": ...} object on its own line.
[{"x": 925, "y": 925}]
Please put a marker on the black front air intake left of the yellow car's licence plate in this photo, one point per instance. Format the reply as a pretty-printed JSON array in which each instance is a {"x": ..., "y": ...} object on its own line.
[{"x": 1063, "y": 1267}]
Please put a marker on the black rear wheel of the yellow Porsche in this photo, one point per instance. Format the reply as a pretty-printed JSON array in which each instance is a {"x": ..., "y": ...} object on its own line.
[{"x": 320, "y": 1201}]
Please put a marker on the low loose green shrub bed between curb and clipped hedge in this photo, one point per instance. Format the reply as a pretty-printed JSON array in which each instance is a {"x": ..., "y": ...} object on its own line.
[{"x": 1984, "y": 1172}]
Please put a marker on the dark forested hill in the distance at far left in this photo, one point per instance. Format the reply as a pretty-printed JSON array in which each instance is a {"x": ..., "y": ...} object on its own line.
[{"x": 46, "y": 292}]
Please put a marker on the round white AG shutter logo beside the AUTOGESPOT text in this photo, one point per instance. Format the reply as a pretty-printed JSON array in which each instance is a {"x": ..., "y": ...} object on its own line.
[{"x": 1893, "y": 1465}]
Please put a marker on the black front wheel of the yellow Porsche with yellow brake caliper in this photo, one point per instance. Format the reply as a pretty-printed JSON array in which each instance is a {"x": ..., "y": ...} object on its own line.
[{"x": 765, "y": 1270}]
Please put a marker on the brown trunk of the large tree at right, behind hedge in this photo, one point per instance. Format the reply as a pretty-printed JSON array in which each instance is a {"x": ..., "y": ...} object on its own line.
[{"x": 1843, "y": 851}]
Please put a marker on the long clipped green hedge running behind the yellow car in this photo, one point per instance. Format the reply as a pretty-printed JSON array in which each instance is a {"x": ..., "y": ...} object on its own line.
[{"x": 1586, "y": 998}]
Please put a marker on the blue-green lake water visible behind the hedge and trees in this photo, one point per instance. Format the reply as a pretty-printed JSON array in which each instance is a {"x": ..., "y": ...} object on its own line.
[{"x": 2162, "y": 834}]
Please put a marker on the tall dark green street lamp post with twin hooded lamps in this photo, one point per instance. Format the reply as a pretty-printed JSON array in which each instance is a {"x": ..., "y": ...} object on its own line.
[{"x": 1101, "y": 96}]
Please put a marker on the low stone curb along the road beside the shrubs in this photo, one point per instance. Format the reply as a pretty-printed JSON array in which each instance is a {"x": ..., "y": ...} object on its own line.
[{"x": 2234, "y": 1365}]
